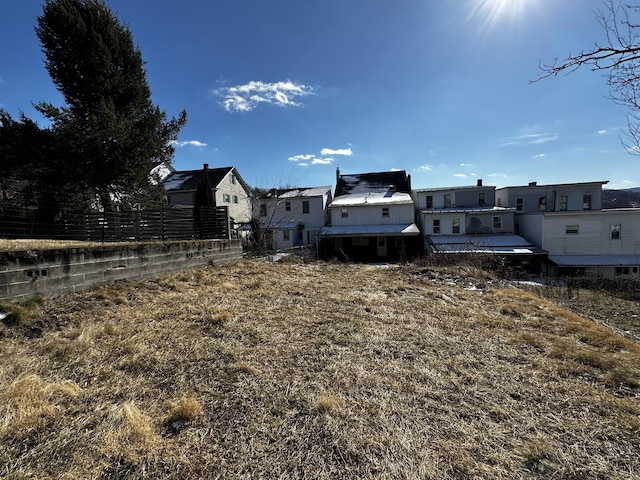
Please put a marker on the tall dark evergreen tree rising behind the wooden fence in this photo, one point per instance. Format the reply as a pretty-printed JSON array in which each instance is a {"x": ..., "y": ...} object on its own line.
[{"x": 109, "y": 132}]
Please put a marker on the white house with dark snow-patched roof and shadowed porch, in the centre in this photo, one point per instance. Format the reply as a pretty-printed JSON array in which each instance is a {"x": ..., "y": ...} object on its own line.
[{"x": 371, "y": 218}]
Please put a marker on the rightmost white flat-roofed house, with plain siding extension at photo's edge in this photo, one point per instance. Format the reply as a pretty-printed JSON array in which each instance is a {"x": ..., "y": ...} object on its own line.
[{"x": 567, "y": 220}]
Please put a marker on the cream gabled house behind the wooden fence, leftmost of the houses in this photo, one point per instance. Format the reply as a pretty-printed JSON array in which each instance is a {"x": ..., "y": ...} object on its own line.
[{"x": 229, "y": 189}]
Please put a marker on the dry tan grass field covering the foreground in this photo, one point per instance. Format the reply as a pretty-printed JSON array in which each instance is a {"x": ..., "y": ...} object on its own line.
[{"x": 316, "y": 371}]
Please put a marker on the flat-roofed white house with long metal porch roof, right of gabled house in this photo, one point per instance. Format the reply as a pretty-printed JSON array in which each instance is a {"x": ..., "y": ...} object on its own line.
[{"x": 466, "y": 220}]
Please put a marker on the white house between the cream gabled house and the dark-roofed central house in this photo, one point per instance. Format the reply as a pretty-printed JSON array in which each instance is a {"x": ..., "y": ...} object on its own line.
[{"x": 293, "y": 216}]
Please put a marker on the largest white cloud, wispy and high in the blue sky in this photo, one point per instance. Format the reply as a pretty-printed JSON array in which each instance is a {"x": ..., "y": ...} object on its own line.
[{"x": 244, "y": 98}]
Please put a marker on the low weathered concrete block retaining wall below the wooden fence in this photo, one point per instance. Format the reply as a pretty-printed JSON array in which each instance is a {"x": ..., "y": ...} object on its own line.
[{"x": 49, "y": 273}]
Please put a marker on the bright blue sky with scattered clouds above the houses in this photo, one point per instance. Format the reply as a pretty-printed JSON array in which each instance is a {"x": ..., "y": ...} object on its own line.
[{"x": 289, "y": 90}]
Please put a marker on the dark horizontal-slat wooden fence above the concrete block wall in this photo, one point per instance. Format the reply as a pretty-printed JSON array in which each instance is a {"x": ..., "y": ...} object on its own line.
[{"x": 143, "y": 225}]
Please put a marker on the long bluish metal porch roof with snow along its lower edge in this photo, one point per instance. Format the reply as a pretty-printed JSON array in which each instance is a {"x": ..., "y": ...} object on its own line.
[{"x": 494, "y": 244}]
